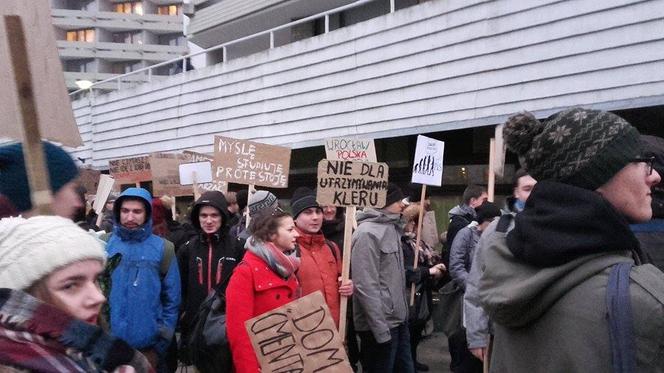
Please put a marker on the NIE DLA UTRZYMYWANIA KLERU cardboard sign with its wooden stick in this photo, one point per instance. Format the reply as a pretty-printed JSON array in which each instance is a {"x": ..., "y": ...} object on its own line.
[{"x": 350, "y": 184}]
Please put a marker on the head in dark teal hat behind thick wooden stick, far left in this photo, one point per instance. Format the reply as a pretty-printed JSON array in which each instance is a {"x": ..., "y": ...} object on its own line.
[{"x": 62, "y": 175}]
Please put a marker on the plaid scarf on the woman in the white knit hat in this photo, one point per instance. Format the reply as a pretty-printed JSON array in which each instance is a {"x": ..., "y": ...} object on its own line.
[{"x": 36, "y": 336}]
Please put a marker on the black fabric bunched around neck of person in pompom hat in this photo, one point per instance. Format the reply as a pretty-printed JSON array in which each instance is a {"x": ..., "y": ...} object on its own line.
[{"x": 562, "y": 222}]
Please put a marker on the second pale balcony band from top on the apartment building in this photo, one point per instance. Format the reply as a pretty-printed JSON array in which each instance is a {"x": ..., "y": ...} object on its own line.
[{"x": 119, "y": 51}]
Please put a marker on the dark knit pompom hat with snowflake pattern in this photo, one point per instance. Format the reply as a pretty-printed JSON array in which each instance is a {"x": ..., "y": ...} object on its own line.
[{"x": 577, "y": 146}]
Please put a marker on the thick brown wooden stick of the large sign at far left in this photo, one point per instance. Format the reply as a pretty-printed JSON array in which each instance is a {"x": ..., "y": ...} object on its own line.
[{"x": 33, "y": 150}]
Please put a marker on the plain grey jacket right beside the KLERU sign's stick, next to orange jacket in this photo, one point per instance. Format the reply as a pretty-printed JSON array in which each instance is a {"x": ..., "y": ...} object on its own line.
[{"x": 377, "y": 265}]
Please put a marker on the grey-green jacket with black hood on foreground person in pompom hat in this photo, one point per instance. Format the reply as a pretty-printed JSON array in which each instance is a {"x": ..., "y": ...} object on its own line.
[{"x": 544, "y": 285}]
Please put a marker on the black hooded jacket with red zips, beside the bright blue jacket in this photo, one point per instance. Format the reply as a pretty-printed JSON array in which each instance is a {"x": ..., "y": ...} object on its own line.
[{"x": 206, "y": 259}]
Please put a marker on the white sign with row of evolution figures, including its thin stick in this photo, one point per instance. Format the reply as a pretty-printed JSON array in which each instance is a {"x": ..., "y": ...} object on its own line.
[{"x": 427, "y": 170}]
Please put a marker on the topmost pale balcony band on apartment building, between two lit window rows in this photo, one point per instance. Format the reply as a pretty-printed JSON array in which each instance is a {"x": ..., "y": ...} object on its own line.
[{"x": 121, "y": 21}]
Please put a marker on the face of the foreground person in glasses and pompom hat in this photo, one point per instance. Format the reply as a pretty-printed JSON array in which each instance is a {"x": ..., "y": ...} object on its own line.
[{"x": 629, "y": 191}]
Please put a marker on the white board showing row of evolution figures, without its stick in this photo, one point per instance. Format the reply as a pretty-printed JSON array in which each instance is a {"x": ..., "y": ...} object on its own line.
[{"x": 428, "y": 163}]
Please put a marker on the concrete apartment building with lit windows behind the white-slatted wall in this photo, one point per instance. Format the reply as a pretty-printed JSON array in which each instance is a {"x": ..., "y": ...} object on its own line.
[{"x": 100, "y": 39}]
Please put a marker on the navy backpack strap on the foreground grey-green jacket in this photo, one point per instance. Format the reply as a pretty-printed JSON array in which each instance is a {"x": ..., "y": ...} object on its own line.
[{"x": 619, "y": 307}]
